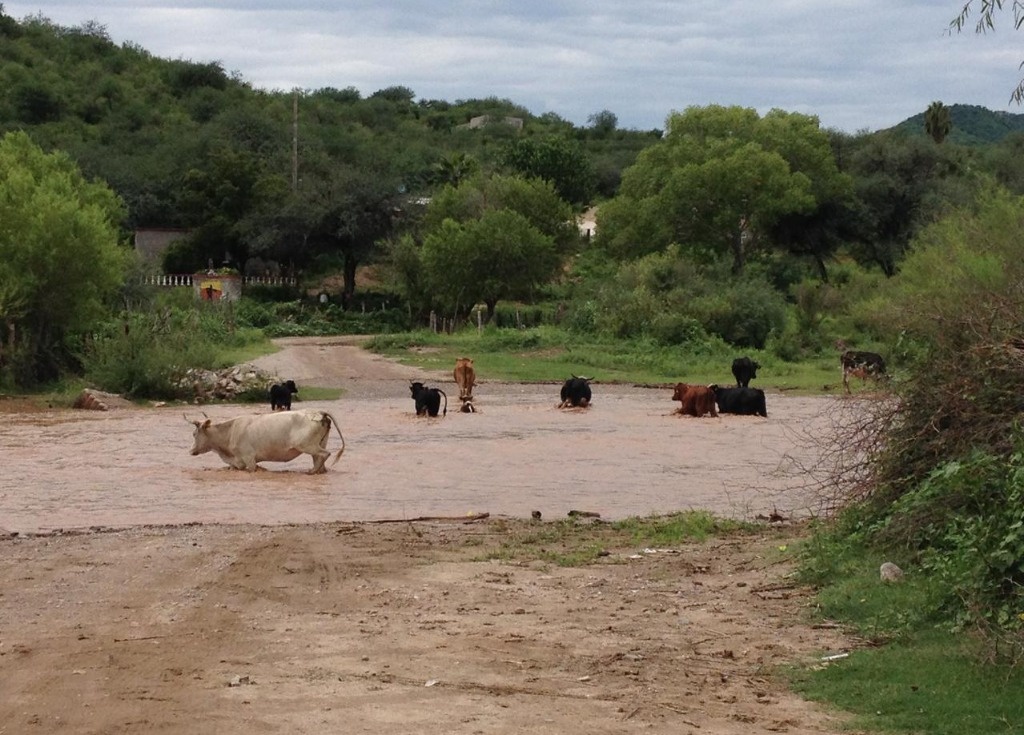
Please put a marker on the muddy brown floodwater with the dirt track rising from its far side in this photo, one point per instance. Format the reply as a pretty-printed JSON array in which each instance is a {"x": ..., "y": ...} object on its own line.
[{"x": 626, "y": 456}]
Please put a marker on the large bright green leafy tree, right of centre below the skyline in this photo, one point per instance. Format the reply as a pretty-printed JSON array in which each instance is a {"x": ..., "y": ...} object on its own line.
[{"x": 720, "y": 181}]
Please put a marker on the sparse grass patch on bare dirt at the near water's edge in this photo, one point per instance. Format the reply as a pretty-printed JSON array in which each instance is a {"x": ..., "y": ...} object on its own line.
[{"x": 577, "y": 541}]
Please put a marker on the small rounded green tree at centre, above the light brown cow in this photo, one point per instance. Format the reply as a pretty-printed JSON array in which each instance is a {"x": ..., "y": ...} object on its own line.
[{"x": 498, "y": 256}]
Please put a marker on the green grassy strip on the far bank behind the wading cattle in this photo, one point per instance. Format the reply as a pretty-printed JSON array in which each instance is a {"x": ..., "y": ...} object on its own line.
[{"x": 552, "y": 355}]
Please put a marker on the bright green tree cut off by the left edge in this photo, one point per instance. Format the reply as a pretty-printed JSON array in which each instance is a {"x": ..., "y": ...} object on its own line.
[{"x": 61, "y": 255}]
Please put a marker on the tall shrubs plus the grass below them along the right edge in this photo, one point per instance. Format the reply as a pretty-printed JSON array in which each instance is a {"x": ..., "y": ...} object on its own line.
[{"x": 941, "y": 493}]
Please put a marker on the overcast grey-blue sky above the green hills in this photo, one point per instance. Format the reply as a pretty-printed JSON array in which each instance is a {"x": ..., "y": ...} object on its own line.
[{"x": 858, "y": 65}]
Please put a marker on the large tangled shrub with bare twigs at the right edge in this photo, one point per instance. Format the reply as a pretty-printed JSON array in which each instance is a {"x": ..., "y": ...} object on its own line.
[{"x": 937, "y": 472}]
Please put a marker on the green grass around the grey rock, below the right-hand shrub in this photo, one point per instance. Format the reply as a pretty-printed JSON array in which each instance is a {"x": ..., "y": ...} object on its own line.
[{"x": 921, "y": 672}]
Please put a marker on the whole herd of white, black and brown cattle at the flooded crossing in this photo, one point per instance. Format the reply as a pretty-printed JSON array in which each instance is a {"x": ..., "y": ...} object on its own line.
[{"x": 283, "y": 435}]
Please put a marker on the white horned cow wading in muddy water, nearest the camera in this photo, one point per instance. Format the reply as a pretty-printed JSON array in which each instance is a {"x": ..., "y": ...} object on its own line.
[{"x": 282, "y": 437}]
